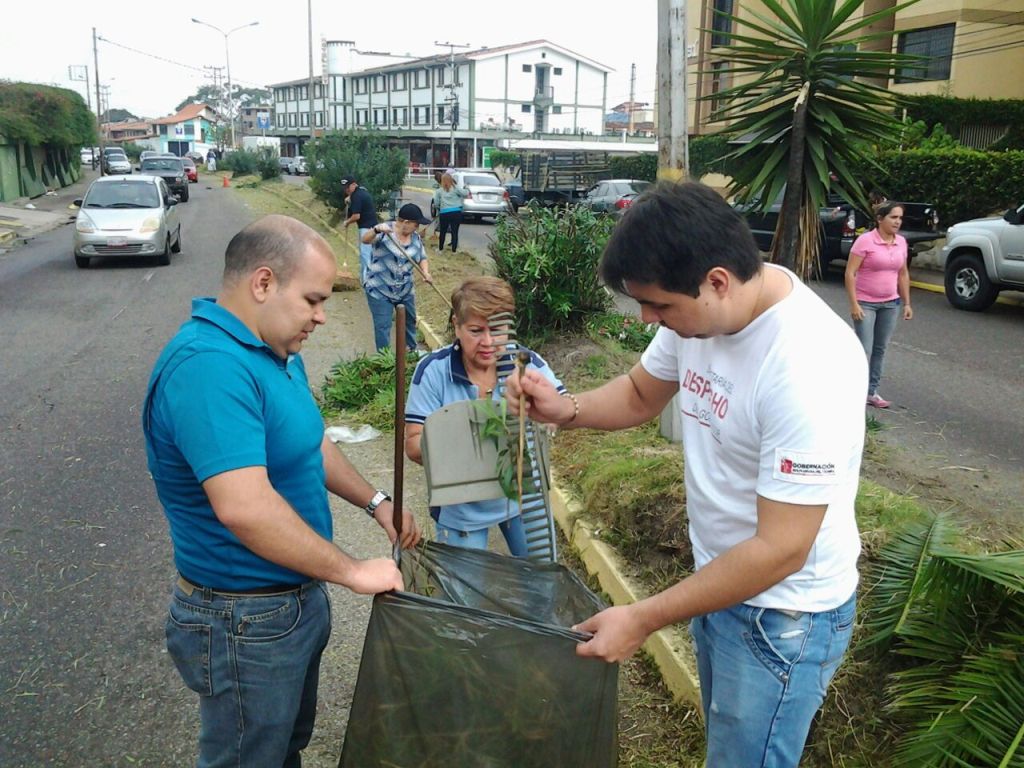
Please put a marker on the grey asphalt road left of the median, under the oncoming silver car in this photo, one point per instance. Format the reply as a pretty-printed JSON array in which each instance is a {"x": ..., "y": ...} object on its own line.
[{"x": 86, "y": 559}]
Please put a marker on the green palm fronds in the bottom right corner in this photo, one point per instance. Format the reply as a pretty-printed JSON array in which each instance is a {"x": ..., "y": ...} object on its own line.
[{"x": 961, "y": 619}]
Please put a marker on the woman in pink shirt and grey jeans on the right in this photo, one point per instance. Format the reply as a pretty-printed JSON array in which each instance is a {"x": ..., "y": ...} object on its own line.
[{"x": 878, "y": 284}]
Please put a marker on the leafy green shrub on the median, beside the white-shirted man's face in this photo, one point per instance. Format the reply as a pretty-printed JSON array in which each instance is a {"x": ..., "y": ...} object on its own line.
[{"x": 550, "y": 260}]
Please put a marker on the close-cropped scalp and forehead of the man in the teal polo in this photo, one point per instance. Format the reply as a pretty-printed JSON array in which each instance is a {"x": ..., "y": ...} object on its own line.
[{"x": 280, "y": 243}]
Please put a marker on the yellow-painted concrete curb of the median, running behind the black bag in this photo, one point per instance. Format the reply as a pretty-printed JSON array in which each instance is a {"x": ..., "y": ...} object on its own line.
[{"x": 670, "y": 648}]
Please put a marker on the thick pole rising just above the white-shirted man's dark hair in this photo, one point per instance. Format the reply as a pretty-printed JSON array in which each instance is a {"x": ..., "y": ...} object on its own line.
[{"x": 673, "y": 151}]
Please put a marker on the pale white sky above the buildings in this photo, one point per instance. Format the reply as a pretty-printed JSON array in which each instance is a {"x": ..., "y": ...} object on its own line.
[{"x": 44, "y": 38}]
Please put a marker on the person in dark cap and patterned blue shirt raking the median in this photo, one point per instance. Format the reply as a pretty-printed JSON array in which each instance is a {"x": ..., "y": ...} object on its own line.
[{"x": 395, "y": 246}]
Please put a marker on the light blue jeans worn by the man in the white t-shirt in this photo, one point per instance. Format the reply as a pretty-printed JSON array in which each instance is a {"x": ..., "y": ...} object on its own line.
[{"x": 763, "y": 677}]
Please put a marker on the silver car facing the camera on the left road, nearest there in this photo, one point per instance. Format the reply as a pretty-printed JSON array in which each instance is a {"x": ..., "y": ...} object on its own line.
[{"x": 121, "y": 217}]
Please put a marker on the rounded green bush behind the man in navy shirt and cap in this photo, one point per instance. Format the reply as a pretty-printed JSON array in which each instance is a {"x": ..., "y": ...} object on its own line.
[{"x": 362, "y": 155}]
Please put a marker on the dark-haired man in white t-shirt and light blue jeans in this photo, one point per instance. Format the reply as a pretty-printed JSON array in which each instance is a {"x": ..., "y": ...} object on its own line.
[{"x": 771, "y": 385}]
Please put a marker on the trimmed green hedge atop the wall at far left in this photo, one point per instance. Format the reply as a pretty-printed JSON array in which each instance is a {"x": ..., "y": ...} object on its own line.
[{"x": 45, "y": 115}]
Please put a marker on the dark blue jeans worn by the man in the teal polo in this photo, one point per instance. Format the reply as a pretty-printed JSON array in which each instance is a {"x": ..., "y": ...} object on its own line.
[{"x": 255, "y": 664}]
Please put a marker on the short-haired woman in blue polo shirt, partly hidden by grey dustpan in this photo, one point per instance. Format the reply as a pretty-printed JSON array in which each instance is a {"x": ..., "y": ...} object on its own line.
[{"x": 463, "y": 371}]
